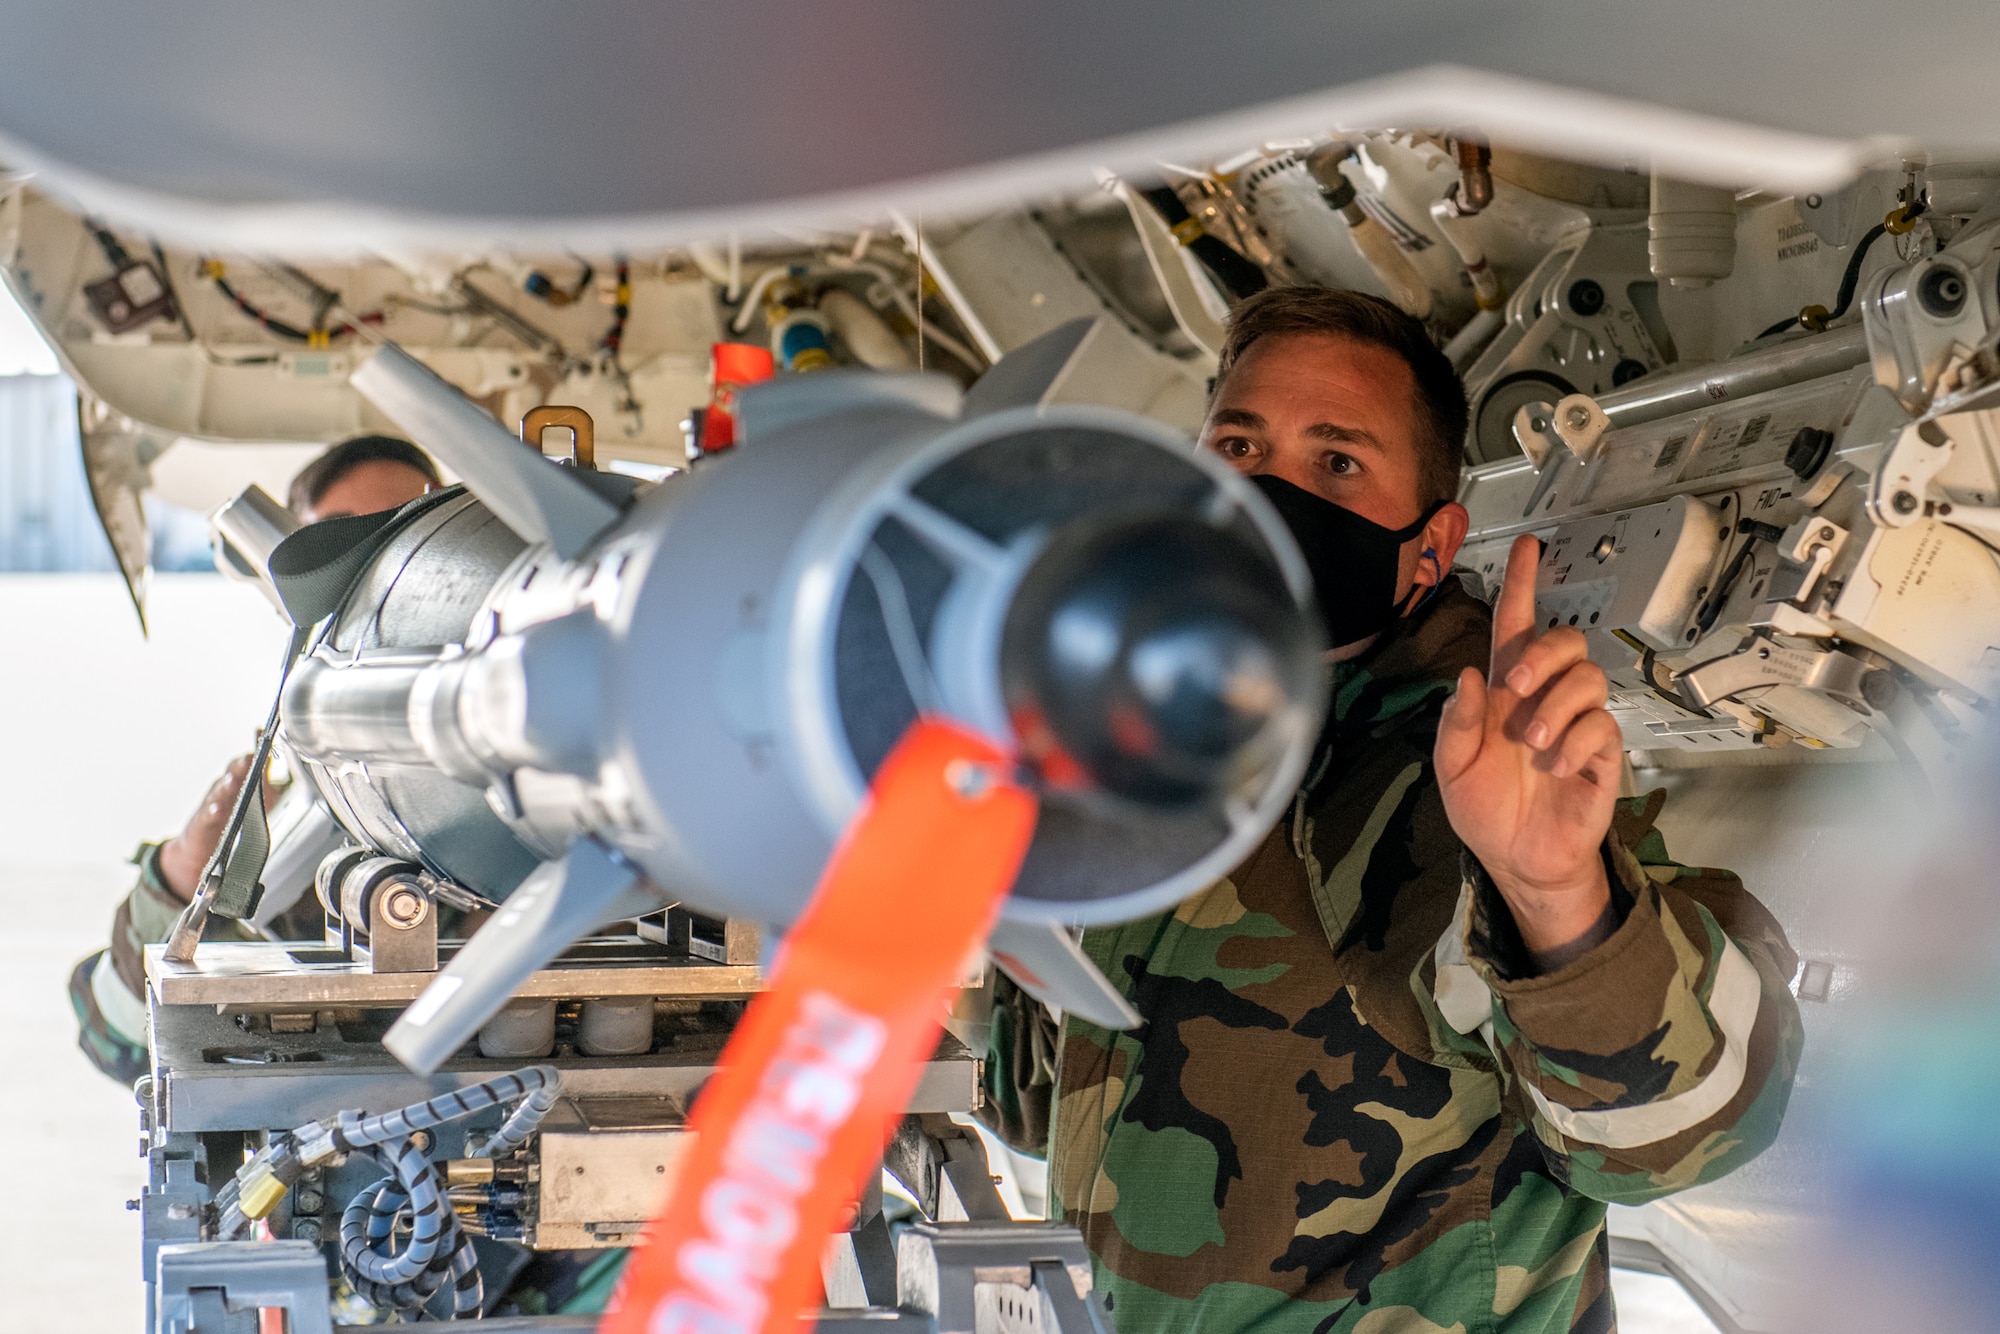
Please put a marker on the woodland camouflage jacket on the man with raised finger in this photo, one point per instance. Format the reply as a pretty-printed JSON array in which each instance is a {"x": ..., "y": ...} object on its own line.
[{"x": 1353, "y": 1105}]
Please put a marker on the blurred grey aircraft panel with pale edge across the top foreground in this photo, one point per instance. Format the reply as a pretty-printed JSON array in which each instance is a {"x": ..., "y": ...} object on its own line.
[{"x": 633, "y": 125}]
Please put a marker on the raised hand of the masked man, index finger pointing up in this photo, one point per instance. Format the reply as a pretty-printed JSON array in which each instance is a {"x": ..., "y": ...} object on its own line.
[{"x": 1529, "y": 767}]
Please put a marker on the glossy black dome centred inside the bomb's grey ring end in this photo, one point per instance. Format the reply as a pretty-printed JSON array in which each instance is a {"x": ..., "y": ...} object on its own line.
[{"x": 1161, "y": 661}]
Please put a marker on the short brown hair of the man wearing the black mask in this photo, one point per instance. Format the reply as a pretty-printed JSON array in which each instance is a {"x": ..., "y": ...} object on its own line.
[{"x": 1441, "y": 395}]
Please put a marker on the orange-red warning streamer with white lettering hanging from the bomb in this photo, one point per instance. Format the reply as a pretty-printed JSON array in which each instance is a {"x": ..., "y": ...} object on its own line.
[{"x": 823, "y": 1063}]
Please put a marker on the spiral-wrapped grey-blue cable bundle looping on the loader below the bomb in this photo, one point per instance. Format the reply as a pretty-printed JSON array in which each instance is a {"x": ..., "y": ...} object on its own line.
[{"x": 411, "y": 1193}]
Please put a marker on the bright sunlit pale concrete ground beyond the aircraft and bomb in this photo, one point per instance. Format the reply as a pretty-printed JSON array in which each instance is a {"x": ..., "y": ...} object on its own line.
[{"x": 107, "y": 741}]
